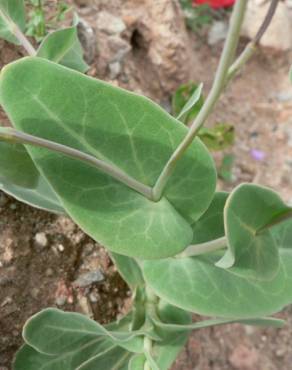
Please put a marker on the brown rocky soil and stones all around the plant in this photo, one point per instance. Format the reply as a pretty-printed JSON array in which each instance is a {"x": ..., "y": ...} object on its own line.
[{"x": 144, "y": 46}]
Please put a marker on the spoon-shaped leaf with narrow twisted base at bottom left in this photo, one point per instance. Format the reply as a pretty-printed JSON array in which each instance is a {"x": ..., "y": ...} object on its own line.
[{"x": 54, "y": 332}]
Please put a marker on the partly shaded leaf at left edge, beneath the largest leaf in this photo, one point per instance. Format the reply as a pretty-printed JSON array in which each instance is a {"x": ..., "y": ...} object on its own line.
[{"x": 20, "y": 178}]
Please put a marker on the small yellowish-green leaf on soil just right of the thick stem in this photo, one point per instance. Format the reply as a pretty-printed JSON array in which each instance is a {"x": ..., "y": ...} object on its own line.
[{"x": 219, "y": 137}]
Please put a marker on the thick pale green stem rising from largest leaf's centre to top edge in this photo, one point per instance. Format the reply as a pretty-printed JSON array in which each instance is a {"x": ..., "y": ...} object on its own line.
[{"x": 218, "y": 85}]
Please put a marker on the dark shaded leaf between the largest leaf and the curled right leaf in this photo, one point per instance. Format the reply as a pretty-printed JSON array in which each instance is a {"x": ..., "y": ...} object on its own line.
[{"x": 211, "y": 225}]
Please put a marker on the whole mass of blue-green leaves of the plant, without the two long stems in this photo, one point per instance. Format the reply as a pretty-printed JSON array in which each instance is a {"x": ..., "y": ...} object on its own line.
[{"x": 248, "y": 279}]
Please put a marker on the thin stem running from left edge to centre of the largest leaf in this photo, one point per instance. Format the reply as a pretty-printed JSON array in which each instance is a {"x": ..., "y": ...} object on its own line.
[{"x": 14, "y": 136}]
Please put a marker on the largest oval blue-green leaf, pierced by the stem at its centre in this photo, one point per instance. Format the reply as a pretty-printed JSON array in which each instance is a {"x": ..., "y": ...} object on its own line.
[{"x": 121, "y": 128}]
